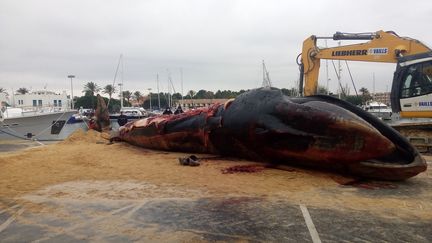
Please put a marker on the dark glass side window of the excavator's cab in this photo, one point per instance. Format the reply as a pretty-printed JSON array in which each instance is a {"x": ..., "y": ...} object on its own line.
[{"x": 417, "y": 80}]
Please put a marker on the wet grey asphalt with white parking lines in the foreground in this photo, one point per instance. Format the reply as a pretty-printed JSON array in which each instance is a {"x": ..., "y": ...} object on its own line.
[{"x": 207, "y": 219}]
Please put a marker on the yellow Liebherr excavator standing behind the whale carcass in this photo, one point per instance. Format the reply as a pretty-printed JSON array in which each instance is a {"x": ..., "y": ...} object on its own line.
[{"x": 411, "y": 94}]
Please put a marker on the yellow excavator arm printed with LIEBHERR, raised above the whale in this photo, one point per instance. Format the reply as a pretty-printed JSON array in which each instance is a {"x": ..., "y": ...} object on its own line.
[{"x": 382, "y": 47}]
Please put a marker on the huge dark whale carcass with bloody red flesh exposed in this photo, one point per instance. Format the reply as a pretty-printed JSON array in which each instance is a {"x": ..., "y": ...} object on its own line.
[{"x": 263, "y": 124}]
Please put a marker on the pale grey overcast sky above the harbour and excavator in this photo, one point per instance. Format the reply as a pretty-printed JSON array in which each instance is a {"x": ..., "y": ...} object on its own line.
[{"x": 218, "y": 44}]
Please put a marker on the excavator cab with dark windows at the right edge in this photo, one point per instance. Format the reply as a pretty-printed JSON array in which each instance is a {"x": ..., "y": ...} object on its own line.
[{"x": 411, "y": 93}]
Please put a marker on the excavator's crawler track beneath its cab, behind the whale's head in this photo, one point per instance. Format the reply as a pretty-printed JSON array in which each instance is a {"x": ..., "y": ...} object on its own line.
[{"x": 418, "y": 134}]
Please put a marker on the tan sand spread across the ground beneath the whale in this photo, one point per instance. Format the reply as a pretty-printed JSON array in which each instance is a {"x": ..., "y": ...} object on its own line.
[{"x": 86, "y": 158}]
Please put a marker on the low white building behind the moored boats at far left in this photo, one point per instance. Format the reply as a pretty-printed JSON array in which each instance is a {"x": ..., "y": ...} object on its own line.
[{"x": 41, "y": 98}]
